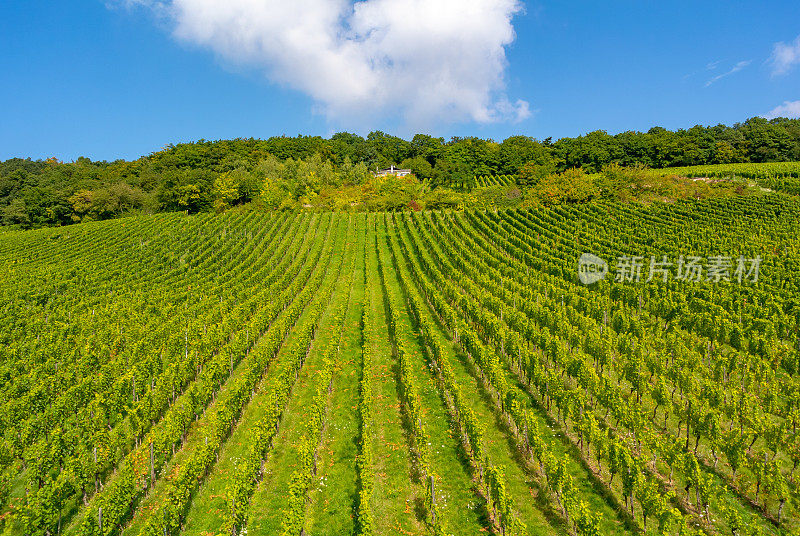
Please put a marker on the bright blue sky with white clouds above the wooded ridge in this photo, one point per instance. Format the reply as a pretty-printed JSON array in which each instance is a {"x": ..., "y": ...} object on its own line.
[{"x": 114, "y": 80}]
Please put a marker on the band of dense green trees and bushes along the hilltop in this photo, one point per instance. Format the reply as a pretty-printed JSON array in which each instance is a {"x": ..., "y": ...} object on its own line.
[{"x": 335, "y": 173}]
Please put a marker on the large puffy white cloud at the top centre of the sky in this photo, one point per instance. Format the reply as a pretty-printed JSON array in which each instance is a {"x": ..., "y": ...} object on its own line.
[{"x": 426, "y": 60}]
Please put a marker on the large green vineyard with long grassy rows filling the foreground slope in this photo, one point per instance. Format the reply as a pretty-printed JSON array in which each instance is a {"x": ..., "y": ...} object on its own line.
[{"x": 440, "y": 373}]
